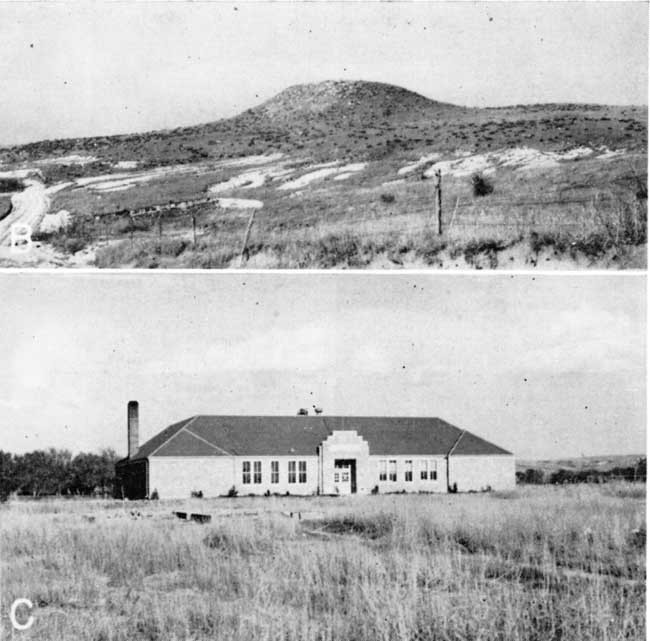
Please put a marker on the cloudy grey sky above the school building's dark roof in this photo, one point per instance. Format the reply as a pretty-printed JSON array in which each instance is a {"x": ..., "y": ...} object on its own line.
[{"x": 545, "y": 366}]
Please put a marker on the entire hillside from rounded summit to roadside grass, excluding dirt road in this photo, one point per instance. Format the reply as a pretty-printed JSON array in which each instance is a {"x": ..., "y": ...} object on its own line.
[{"x": 342, "y": 174}]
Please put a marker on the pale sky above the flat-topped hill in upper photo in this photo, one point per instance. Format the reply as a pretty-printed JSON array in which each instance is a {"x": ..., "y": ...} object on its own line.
[{"x": 80, "y": 69}]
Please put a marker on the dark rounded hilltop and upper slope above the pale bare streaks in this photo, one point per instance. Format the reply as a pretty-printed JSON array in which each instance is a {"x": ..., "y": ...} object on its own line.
[{"x": 344, "y": 120}]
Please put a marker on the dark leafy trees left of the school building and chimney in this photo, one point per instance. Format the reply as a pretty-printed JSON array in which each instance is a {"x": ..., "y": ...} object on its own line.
[{"x": 54, "y": 472}]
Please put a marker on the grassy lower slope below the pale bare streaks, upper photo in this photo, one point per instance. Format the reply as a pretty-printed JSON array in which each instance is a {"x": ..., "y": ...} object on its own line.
[{"x": 581, "y": 212}]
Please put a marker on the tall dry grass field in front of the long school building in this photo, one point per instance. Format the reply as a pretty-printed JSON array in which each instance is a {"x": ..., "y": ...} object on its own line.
[{"x": 538, "y": 563}]
